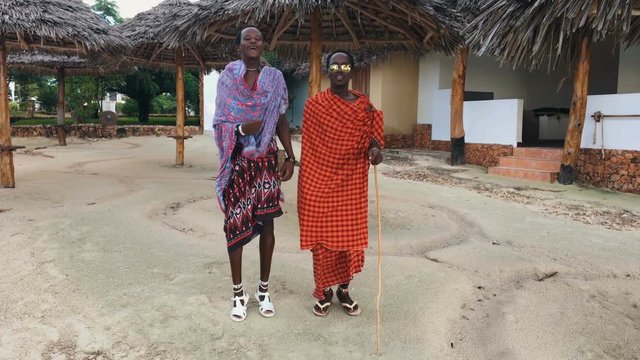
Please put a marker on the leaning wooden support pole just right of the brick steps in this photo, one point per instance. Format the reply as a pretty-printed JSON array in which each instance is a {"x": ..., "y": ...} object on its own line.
[{"x": 577, "y": 114}]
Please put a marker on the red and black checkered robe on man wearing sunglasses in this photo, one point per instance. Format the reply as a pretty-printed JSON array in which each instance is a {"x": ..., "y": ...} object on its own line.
[{"x": 333, "y": 184}]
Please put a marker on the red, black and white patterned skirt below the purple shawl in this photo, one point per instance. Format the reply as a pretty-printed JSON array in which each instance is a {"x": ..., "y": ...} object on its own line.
[{"x": 251, "y": 196}]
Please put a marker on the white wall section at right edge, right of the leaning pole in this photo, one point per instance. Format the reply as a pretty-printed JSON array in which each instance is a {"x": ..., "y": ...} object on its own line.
[{"x": 619, "y": 133}]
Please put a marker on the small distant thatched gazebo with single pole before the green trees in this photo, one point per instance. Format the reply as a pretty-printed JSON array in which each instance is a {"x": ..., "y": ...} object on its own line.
[{"x": 60, "y": 66}]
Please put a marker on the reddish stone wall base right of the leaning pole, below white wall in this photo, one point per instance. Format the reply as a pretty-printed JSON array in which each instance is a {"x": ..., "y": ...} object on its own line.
[{"x": 618, "y": 170}]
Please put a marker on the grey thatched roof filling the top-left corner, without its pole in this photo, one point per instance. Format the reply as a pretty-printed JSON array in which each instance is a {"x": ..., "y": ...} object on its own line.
[{"x": 57, "y": 25}]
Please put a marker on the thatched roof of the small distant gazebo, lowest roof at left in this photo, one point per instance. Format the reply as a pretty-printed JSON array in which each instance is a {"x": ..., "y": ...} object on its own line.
[{"x": 48, "y": 64}]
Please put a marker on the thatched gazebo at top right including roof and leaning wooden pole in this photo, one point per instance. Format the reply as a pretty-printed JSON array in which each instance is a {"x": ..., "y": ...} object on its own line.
[{"x": 544, "y": 32}]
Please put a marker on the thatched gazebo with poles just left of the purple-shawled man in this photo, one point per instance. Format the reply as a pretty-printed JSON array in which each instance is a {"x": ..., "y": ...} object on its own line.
[{"x": 154, "y": 45}]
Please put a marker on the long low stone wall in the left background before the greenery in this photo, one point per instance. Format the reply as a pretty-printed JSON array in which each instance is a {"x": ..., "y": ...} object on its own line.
[{"x": 99, "y": 131}]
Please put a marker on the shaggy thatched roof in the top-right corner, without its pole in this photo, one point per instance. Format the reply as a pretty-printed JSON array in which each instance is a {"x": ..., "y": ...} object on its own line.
[{"x": 532, "y": 33}]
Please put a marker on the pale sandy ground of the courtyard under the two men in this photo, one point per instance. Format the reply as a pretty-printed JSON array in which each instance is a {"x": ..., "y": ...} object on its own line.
[{"x": 108, "y": 251}]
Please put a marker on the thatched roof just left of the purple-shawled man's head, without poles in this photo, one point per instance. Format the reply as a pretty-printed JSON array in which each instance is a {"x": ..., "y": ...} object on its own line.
[{"x": 149, "y": 32}]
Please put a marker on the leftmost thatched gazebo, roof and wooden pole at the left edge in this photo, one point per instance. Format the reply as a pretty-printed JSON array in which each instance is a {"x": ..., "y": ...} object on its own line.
[{"x": 51, "y": 25}]
